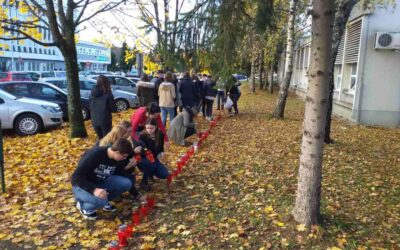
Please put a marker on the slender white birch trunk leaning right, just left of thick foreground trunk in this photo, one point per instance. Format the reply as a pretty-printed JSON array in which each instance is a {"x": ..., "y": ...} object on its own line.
[{"x": 284, "y": 88}]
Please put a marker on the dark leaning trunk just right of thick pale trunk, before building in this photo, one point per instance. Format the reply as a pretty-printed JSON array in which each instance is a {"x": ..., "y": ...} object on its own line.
[{"x": 342, "y": 15}]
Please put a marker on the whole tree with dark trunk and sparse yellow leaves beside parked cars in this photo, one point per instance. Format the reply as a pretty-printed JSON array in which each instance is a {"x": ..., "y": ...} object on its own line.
[{"x": 62, "y": 19}]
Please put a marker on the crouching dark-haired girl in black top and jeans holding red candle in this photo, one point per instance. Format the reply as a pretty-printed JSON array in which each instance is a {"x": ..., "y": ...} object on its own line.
[{"x": 152, "y": 140}]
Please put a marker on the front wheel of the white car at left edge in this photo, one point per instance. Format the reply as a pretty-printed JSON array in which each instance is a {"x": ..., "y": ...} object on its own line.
[{"x": 28, "y": 124}]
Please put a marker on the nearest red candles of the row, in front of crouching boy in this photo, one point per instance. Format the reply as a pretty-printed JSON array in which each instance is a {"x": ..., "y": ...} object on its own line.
[{"x": 125, "y": 230}]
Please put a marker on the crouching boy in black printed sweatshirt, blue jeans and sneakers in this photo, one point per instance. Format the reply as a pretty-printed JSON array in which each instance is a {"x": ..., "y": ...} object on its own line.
[{"x": 100, "y": 177}]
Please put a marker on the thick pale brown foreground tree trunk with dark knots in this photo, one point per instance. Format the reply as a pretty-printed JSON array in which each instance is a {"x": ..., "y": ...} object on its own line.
[{"x": 307, "y": 206}]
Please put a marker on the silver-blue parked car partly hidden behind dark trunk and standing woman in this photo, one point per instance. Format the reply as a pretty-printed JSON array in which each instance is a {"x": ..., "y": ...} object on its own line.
[{"x": 123, "y": 99}]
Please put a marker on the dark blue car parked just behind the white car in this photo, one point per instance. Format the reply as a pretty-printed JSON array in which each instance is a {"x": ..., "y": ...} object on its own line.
[{"x": 46, "y": 92}]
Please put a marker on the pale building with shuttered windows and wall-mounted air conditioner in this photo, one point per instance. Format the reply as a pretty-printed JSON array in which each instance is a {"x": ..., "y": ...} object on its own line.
[{"x": 367, "y": 75}]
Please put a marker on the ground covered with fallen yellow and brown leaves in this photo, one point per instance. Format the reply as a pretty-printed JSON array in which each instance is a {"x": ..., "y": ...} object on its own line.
[{"x": 236, "y": 193}]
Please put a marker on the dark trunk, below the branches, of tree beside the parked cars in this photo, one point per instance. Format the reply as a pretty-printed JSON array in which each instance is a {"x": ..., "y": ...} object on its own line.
[{"x": 76, "y": 124}]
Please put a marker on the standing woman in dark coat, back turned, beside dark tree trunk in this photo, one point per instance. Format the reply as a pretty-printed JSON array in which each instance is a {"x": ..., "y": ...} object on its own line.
[{"x": 102, "y": 104}]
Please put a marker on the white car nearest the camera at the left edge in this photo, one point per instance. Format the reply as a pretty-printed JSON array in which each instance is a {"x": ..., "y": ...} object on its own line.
[{"x": 28, "y": 116}]
